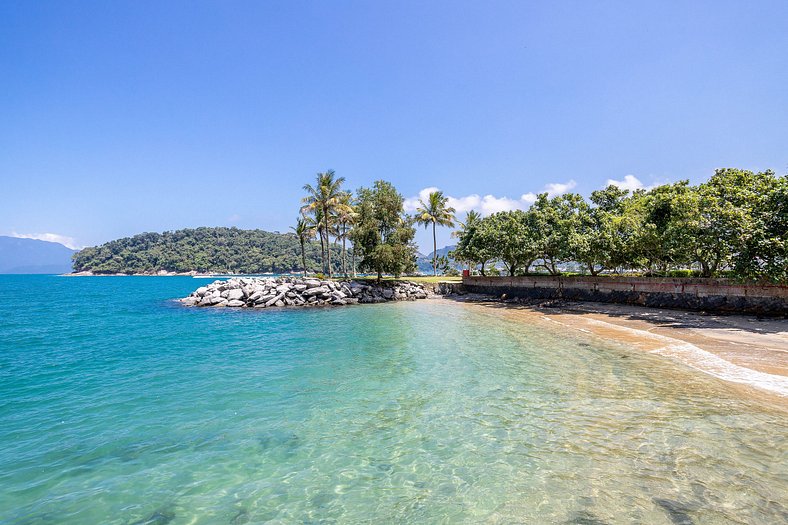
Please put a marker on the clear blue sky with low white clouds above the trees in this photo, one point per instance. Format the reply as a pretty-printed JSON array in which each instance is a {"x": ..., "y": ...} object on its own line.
[{"x": 123, "y": 117}]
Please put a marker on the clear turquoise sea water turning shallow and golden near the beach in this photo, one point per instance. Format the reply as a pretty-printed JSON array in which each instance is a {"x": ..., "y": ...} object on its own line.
[{"x": 119, "y": 406}]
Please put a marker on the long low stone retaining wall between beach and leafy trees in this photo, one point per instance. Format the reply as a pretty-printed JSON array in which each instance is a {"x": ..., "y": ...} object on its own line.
[{"x": 720, "y": 295}]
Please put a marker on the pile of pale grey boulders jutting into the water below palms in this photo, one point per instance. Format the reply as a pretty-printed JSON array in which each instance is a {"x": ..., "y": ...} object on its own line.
[{"x": 255, "y": 292}]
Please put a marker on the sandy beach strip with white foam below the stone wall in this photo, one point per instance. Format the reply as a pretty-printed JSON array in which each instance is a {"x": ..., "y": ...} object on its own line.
[{"x": 745, "y": 351}]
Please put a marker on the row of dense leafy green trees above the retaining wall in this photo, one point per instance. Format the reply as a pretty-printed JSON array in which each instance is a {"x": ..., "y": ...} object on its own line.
[{"x": 736, "y": 223}]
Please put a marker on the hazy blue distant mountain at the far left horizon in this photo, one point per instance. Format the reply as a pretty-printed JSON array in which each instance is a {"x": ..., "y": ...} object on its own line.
[{"x": 33, "y": 256}]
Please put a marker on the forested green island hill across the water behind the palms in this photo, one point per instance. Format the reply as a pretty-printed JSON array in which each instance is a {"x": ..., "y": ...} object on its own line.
[{"x": 208, "y": 250}]
